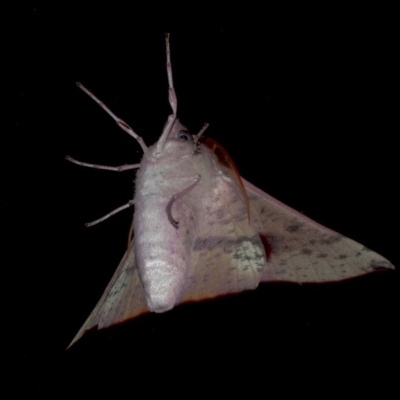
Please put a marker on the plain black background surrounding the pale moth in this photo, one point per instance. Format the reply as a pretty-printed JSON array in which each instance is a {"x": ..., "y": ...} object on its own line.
[{"x": 304, "y": 101}]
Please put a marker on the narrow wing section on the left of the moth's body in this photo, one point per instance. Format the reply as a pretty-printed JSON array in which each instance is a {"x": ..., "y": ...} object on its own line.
[{"x": 123, "y": 299}]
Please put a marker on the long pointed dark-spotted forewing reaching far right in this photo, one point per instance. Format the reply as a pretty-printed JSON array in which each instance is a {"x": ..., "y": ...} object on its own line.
[{"x": 301, "y": 250}]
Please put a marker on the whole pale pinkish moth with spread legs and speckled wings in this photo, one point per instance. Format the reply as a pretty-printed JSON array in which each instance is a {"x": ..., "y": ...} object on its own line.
[{"x": 200, "y": 230}]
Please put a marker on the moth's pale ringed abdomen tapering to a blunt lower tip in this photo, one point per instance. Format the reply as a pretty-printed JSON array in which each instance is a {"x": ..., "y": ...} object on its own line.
[{"x": 162, "y": 252}]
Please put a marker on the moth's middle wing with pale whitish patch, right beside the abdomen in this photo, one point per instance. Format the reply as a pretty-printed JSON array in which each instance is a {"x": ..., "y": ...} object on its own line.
[{"x": 227, "y": 254}]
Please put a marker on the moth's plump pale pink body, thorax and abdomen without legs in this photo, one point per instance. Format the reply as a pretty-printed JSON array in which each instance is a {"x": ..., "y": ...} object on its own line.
[{"x": 162, "y": 250}]
